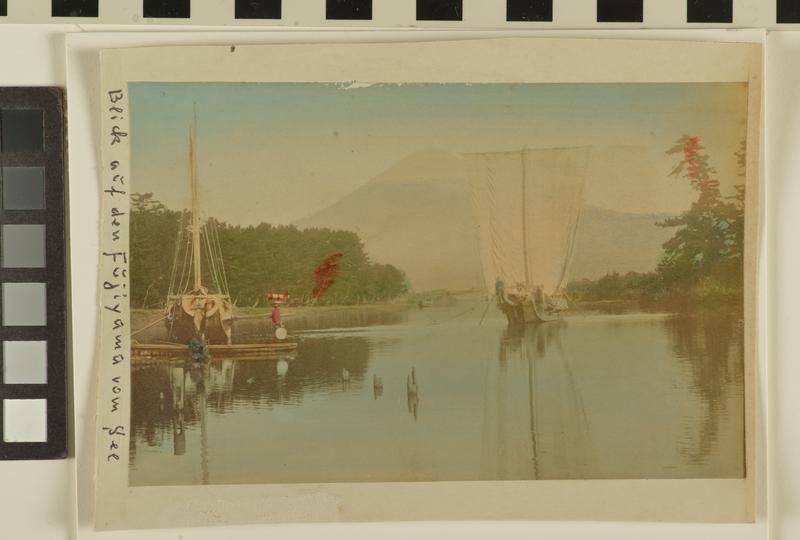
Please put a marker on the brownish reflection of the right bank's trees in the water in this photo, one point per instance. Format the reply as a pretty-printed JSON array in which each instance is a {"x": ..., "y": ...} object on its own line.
[{"x": 711, "y": 348}]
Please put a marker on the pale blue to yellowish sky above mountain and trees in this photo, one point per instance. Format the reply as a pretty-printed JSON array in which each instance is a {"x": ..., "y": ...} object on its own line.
[{"x": 277, "y": 152}]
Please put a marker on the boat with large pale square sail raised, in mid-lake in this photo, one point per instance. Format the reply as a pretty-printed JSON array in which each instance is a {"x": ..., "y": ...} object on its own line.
[{"x": 528, "y": 204}]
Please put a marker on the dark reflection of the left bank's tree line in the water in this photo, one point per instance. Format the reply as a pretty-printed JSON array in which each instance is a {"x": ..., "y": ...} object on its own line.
[{"x": 168, "y": 398}]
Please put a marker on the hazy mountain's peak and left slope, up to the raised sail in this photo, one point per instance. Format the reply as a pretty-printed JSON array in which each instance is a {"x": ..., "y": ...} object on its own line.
[{"x": 417, "y": 216}]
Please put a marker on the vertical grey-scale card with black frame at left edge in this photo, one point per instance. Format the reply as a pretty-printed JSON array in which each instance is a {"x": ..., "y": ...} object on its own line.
[{"x": 33, "y": 315}]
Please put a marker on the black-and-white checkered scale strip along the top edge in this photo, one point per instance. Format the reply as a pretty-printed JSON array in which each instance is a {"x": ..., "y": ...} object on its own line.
[{"x": 515, "y": 14}]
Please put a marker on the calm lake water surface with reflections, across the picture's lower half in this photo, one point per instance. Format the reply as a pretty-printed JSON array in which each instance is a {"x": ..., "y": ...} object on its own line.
[{"x": 593, "y": 396}]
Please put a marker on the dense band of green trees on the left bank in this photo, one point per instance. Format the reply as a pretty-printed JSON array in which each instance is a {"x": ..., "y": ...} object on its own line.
[{"x": 258, "y": 259}]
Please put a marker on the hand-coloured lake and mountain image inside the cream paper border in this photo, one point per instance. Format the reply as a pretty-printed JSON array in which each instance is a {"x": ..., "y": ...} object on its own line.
[{"x": 436, "y": 282}]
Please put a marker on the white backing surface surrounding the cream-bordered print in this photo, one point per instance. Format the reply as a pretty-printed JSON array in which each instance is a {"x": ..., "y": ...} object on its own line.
[{"x": 52, "y": 499}]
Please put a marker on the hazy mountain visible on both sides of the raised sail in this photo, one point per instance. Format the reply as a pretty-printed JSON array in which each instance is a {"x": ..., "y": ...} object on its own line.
[{"x": 418, "y": 215}]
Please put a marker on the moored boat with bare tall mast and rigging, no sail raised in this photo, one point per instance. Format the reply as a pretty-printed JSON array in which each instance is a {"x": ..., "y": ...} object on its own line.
[{"x": 195, "y": 310}]
